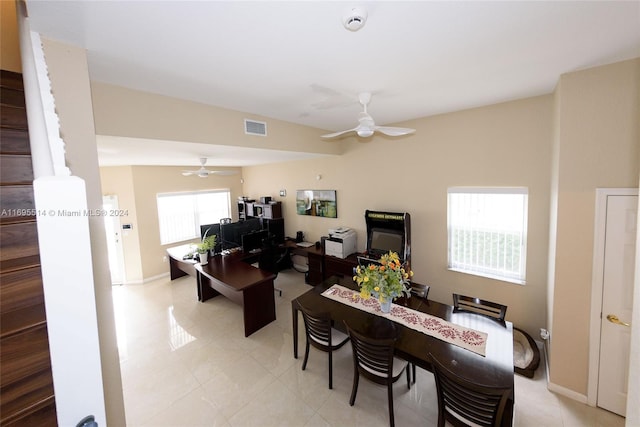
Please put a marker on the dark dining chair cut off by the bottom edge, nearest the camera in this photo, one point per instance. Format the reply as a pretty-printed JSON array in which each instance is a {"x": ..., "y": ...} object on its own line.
[{"x": 465, "y": 403}]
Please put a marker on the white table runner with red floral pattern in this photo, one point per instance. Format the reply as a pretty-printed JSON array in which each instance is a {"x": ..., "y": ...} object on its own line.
[{"x": 436, "y": 327}]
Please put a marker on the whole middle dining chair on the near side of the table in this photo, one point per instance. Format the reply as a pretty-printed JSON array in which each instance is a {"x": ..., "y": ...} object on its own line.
[{"x": 373, "y": 358}]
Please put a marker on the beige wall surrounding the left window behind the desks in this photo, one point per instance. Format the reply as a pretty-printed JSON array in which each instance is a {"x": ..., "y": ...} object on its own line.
[{"x": 136, "y": 188}]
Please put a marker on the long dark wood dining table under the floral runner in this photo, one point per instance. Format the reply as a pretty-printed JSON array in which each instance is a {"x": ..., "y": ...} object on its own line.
[{"x": 495, "y": 368}]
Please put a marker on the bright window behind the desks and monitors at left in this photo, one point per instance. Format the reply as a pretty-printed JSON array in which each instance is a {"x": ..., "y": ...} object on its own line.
[{"x": 181, "y": 214}]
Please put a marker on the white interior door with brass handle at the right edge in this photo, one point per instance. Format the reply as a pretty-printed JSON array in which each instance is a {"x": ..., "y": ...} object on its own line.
[{"x": 617, "y": 301}]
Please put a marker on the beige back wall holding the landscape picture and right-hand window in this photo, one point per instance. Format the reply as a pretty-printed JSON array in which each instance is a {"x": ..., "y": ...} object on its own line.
[{"x": 500, "y": 145}]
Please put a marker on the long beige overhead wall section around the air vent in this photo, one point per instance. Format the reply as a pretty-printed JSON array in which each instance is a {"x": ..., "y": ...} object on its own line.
[{"x": 130, "y": 113}]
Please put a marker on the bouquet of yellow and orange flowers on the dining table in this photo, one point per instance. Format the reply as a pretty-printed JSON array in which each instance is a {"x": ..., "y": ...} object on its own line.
[{"x": 386, "y": 281}]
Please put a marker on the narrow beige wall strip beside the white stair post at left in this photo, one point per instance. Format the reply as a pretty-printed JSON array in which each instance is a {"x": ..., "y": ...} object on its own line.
[{"x": 69, "y": 77}]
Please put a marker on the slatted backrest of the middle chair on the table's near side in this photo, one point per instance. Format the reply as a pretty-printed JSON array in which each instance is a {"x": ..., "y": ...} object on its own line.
[{"x": 373, "y": 356}]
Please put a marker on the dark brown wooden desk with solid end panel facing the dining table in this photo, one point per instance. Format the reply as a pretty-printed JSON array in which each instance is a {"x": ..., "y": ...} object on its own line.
[{"x": 247, "y": 286}]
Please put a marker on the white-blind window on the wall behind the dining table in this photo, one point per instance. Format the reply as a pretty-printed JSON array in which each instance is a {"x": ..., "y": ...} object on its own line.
[{"x": 488, "y": 232}]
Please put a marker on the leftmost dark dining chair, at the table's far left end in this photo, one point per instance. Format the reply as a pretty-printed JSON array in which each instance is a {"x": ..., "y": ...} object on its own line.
[{"x": 320, "y": 334}]
